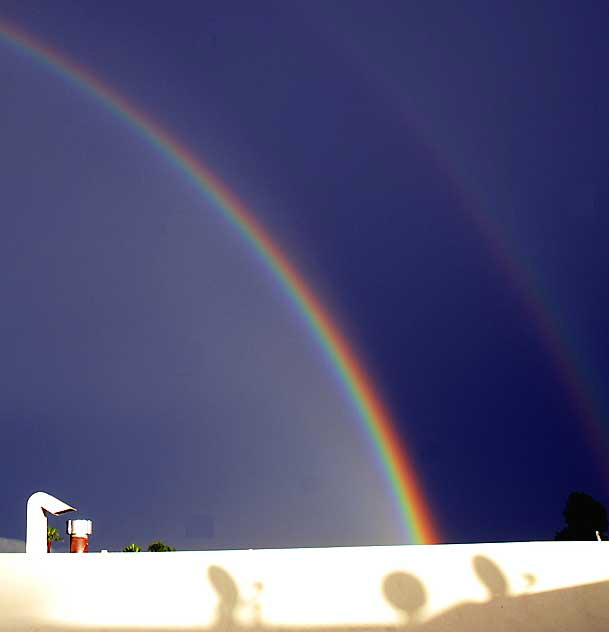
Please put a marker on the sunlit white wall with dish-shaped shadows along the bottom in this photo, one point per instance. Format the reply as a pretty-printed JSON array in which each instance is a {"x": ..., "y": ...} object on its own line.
[{"x": 532, "y": 586}]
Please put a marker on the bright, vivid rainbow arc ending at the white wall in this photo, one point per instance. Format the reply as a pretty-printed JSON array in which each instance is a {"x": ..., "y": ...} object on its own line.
[{"x": 405, "y": 487}]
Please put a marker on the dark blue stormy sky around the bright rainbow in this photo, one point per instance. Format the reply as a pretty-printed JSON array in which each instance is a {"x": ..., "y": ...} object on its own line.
[{"x": 154, "y": 374}]
